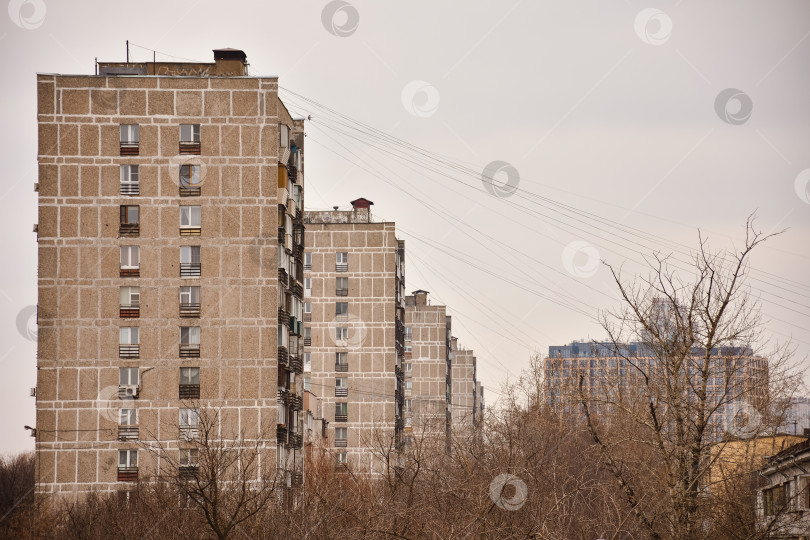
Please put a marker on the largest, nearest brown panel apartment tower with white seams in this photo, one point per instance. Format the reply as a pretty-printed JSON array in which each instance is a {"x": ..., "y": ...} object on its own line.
[{"x": 170, "y": 269}]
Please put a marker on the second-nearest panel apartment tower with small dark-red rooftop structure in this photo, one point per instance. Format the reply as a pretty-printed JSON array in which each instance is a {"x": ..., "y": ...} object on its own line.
[{"x": 354, "y": 281}]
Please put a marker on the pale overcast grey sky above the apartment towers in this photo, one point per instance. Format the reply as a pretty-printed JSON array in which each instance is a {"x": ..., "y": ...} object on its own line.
[{"x": 615, "y": 108}]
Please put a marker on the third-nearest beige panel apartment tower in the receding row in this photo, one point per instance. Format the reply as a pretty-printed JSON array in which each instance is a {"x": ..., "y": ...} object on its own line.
[{"x": 427, "y": 367}]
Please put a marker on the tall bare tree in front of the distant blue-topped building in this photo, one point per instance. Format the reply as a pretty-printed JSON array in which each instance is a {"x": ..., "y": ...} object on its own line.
[{"x": 697, "y": 333}]
